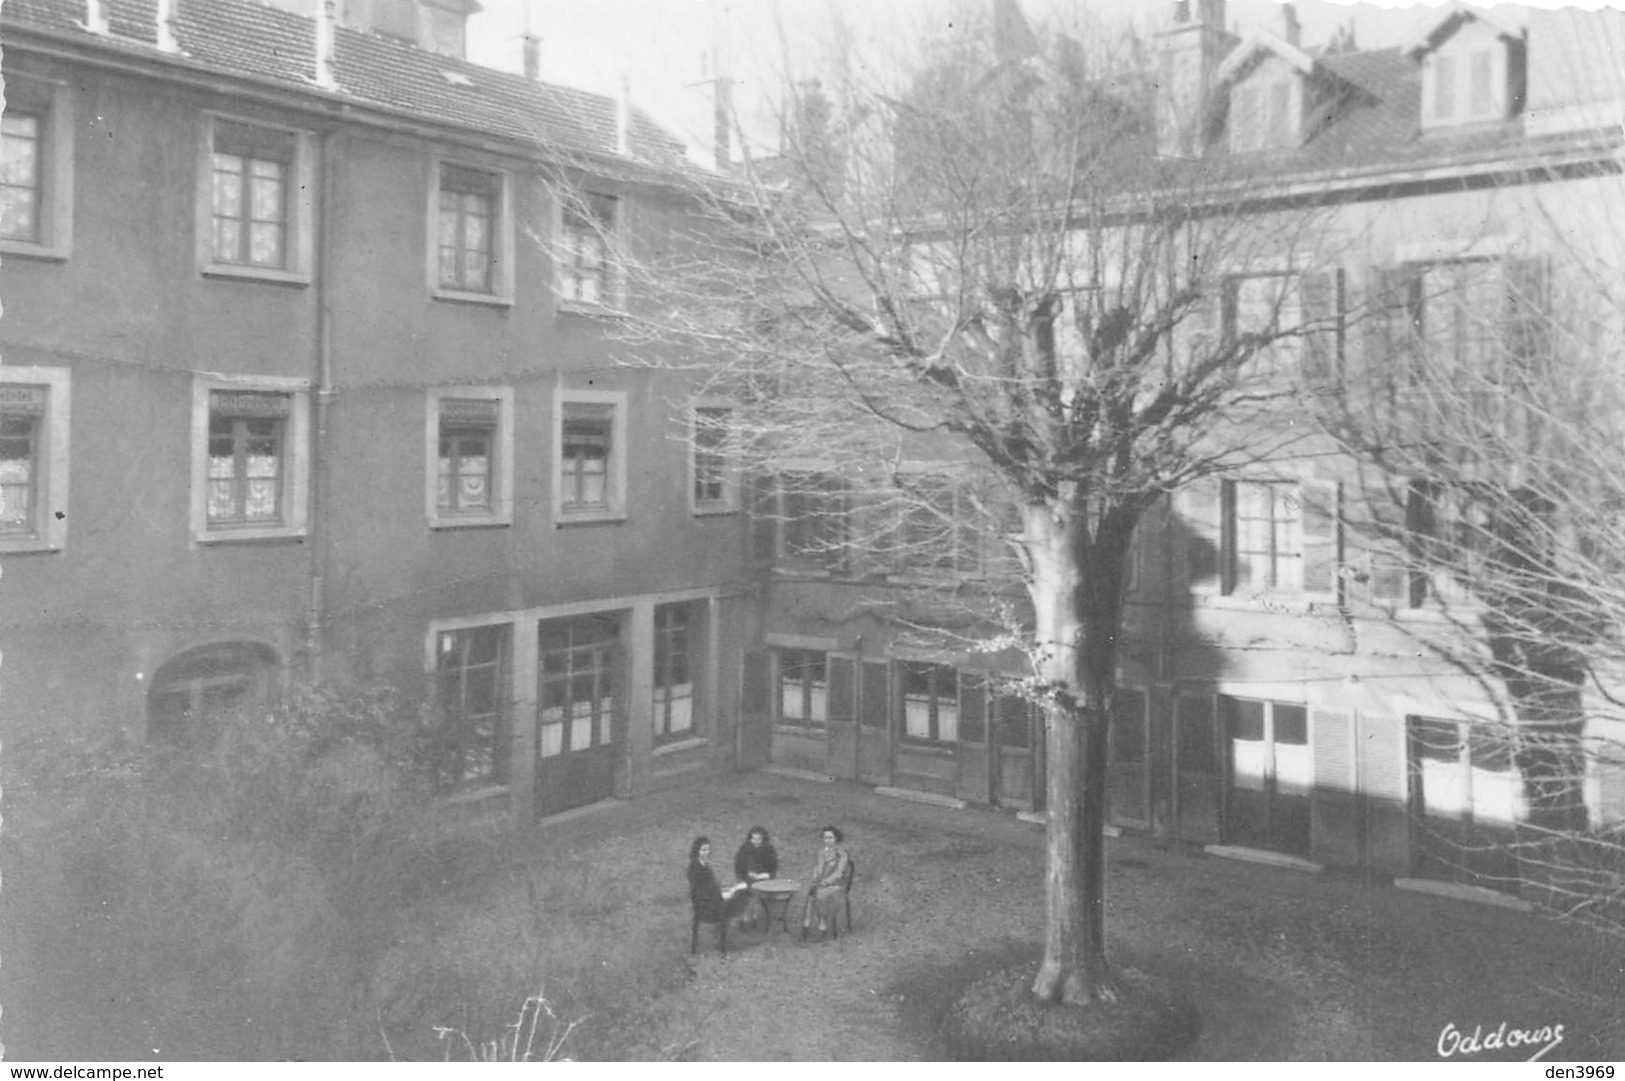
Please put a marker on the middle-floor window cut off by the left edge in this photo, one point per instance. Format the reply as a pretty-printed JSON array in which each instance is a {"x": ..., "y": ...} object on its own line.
[{"x": 33, "y": 459}]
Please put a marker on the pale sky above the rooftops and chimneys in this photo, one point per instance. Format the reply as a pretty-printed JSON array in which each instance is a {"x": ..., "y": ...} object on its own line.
[{"x": 662, "y": 48}]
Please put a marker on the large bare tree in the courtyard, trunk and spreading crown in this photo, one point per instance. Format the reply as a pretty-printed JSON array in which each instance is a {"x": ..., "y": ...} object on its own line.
[{"x": 986, "y": 266}]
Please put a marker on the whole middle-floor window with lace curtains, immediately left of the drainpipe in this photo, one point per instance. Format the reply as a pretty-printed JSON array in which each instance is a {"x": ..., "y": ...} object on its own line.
[{"x": 251, "y": 458}]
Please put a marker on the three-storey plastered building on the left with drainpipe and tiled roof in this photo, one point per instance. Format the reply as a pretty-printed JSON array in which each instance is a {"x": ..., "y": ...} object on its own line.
[{"x": 306, "y": 373}]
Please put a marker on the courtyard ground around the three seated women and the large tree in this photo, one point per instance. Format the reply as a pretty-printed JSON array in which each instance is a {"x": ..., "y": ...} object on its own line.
[{"x": 1283, "y": 966}]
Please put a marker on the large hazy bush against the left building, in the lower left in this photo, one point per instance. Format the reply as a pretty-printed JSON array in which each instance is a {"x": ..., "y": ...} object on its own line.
[{"x": 232, "y": 898}]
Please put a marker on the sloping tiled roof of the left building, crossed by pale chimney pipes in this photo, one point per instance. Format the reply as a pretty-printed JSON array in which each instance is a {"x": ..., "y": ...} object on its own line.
[{"x": 258, "y": 41}]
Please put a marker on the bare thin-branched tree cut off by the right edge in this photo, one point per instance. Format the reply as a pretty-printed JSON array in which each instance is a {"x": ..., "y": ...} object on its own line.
[{"x": 1489, "y": 425}]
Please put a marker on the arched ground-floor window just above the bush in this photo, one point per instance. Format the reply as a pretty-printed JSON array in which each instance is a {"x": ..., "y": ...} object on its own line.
[{"x": 194, "y": 693}]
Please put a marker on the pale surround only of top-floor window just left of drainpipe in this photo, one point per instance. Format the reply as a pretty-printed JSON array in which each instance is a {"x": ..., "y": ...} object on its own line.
[{"x": 298, "y": 202}]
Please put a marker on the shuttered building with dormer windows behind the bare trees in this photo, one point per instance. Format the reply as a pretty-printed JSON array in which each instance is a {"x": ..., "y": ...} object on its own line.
[{"x": 1273, "y": 692}]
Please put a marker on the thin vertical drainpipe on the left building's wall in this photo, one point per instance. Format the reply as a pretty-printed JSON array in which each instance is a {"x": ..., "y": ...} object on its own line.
[{"x": 323, "y": 393}]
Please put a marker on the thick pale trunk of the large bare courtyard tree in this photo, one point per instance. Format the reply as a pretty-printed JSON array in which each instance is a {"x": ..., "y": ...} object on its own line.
[{"x": 1075, "y": 957}]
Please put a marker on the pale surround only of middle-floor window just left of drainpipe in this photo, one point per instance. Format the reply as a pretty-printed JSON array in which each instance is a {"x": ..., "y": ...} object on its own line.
[{"x": 295, "y": 467}]
